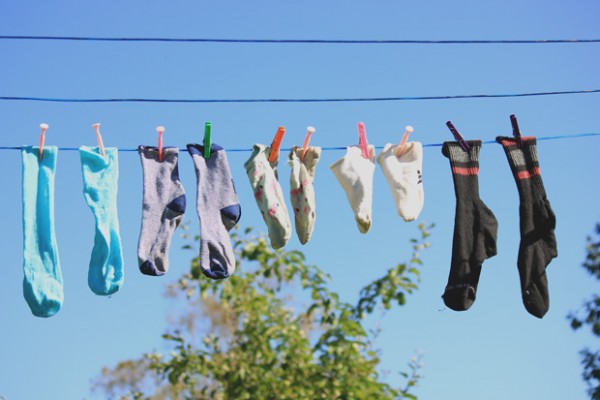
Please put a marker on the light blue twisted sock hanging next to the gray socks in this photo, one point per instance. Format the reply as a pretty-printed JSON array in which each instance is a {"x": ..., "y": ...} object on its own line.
[{"x": 100, "y": 177}]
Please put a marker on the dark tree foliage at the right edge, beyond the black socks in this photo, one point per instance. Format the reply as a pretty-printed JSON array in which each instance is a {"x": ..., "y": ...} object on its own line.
[{"x": 589, "y": 315}]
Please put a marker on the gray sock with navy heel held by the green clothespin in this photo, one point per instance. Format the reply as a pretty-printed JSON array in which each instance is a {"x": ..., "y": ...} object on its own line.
[{"x": 218, "y": 210}]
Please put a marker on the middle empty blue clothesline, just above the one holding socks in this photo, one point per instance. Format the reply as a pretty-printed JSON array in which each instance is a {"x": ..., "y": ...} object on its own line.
[{"x": 291, "y": 100}]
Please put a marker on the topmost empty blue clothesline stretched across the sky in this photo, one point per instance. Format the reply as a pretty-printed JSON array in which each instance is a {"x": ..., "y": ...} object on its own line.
[{"x": 292, "y": 41}]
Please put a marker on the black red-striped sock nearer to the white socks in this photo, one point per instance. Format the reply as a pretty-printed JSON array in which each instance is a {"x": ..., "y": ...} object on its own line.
[{"x": 475, "y": 227}]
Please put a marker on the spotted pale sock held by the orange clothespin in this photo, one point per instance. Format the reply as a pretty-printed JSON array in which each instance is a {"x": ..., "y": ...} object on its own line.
[{"x": 268, "y": 194}]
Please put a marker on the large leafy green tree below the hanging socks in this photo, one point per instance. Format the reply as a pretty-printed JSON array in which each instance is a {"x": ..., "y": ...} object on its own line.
[{"x": 263, "y": 338}]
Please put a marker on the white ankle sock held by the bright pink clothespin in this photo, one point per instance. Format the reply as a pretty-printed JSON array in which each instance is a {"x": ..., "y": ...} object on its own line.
[{"x": 355, "y": 173}]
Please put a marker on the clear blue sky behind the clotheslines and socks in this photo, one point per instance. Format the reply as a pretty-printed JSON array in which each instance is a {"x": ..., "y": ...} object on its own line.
[{"x": 496, "y": 350}]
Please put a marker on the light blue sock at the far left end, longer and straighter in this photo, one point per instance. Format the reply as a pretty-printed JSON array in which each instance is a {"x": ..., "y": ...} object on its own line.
[{"x": 42, "y": 284}]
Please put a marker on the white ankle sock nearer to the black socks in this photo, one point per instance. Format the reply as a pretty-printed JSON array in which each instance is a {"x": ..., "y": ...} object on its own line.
[{"x": 404, "y": 174}]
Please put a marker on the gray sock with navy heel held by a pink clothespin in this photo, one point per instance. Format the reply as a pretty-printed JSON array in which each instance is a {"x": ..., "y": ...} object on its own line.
[{"x": 163, "y": 208}]
